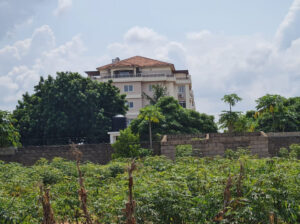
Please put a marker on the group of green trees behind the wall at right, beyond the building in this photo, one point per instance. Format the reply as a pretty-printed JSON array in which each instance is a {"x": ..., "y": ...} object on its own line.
[{"x": 273, "y": 113}]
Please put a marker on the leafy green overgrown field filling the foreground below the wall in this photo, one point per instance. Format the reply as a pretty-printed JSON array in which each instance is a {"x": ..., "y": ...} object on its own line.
[{"x": 190, "y": 190}]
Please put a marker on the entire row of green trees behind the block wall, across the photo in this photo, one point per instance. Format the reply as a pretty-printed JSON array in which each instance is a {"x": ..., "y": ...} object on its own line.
[{"x": 71, "y": 108}]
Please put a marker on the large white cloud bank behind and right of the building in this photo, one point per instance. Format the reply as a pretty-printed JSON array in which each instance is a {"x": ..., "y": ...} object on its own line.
[{"x": 220, "y": 64}]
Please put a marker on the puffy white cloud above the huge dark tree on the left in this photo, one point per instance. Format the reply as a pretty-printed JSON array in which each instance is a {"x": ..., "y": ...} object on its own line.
[{"x": 22, "y": 63}]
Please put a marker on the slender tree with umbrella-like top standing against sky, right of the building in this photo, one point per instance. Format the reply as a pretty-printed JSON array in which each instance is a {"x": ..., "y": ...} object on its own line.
[{"x": 228, "y": 118}]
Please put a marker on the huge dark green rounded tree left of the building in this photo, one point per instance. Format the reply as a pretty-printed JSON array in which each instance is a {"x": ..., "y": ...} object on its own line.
[{"x": 68, "y": 108}]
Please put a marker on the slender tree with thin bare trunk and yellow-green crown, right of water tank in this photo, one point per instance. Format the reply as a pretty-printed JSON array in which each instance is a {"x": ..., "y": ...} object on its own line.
[{"x": 151, "y": 114}]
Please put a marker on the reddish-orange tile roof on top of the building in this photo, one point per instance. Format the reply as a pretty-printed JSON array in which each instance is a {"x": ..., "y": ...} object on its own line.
[{"x": 137, "y": 61}]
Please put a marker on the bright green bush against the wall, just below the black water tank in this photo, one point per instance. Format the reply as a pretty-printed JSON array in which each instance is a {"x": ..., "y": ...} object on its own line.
[{"x": 128, "y": 146}]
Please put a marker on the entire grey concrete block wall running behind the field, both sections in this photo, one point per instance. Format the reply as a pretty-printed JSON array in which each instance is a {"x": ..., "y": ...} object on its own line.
[{"x": 259, "y": 143}]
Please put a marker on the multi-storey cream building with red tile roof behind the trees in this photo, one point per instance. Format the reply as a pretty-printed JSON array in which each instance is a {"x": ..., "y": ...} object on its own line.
[{"x": 136, "y": 75}]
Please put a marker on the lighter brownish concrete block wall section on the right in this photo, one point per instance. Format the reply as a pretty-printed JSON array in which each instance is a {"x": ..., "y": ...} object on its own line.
[{"x": 259, "y": 143}]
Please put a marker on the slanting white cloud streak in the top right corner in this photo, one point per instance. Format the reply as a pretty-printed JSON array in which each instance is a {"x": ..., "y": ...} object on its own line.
[{"x": 288, "y": 30}]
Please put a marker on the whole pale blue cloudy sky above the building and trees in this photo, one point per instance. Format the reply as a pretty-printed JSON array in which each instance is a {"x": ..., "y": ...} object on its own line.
[{"x": 247, "y": 47}]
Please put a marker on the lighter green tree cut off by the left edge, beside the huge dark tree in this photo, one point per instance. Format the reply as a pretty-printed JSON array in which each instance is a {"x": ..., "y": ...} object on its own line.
[{"x": 9, "y": 135}]
